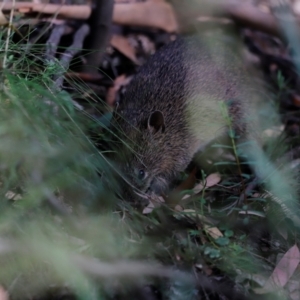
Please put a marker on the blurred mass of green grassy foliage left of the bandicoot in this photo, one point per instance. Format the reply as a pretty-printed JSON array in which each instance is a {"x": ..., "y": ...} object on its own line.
[{"x": 54, "y": 189}]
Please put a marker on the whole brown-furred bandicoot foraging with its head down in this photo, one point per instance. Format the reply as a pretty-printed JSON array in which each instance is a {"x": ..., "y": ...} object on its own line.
[{"x": 172, "y": 109}]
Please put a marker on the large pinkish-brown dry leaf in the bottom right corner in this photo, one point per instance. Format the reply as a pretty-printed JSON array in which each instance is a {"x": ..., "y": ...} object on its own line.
[{"x": 282, "y": 272}]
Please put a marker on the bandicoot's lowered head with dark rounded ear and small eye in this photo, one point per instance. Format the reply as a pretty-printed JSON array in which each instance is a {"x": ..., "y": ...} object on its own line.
[{"x": 148, "y": 158}]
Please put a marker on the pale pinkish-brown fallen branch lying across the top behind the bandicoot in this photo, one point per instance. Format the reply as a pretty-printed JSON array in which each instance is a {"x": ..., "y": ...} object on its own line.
[{"x": 160, "y": 15}]
